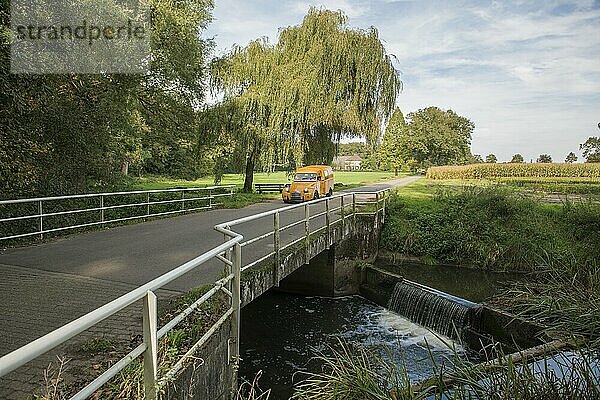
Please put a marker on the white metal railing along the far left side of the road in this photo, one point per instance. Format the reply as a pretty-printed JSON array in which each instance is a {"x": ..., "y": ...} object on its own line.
[{"x": 41, "y": 214}]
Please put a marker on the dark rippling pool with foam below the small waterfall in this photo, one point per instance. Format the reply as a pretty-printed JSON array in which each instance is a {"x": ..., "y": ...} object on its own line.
[{"x": 281, "y": 333}]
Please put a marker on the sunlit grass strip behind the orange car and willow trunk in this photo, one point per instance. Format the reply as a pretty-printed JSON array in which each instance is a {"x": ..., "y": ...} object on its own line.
[{"x": 347, "y": 178}]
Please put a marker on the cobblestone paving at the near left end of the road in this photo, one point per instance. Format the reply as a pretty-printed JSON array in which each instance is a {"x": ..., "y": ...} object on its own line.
[{"x": 35, "y": 302}]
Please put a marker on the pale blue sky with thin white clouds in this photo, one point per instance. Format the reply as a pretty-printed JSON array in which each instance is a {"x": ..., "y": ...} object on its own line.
[{"x": 527, "y": 73}]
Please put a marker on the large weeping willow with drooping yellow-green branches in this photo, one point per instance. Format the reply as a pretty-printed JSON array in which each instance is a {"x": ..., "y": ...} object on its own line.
[{"x": 321, "y": 81}]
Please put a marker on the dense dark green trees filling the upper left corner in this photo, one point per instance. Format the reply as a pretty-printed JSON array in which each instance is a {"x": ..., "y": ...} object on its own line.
[{"x": 65, "y": 133}]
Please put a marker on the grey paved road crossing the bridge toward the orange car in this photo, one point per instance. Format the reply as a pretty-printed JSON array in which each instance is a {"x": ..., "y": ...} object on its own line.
[{"x": 45, "y": 286}]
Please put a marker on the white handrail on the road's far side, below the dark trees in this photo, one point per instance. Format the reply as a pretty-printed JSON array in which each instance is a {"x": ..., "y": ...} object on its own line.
[{"x": 201, "y": 198}]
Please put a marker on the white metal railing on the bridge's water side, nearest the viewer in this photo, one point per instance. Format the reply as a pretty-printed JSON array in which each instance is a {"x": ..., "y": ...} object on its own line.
[{"x": 230, "y": 253}]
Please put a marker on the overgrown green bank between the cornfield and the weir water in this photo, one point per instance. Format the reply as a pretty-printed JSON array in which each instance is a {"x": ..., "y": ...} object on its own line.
[{"x": 490, "y": 228}]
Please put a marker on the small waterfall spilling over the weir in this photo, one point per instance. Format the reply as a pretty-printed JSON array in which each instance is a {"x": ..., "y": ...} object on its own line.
[{"x": 442, "y": 312}]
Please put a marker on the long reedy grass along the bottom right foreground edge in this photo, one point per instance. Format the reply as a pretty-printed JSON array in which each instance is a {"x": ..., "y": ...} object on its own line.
[{"x": 355, "y": 373}]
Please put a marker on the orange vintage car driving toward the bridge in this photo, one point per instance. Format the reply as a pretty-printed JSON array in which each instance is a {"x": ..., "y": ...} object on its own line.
[{"x": 309, "y": 183}]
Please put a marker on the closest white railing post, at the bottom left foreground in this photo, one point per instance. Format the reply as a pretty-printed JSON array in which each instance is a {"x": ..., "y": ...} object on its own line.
[{"x": 151, "y": 353}]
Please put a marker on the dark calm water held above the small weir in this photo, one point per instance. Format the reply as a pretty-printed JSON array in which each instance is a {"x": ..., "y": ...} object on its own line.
[{"x": 466, "y": 283}]
